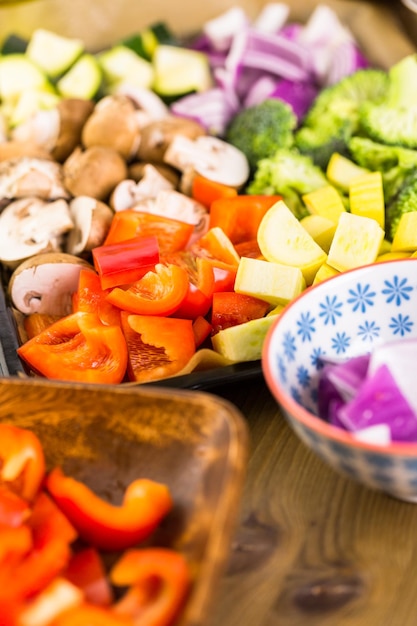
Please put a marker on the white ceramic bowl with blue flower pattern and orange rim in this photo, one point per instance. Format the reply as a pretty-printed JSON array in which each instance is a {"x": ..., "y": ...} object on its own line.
[{"x": 342, "y": 317}]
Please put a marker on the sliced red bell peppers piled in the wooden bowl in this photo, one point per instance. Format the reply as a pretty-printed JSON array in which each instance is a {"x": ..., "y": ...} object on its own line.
[{"x": 54, "y": 534}]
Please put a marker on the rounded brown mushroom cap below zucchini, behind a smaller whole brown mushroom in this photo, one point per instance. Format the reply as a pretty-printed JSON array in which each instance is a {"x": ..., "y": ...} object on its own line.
[{"x": 114, "y": 123}]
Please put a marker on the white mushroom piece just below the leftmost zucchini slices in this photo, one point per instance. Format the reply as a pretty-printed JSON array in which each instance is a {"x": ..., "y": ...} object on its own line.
[{"x": 41, "y": 129}]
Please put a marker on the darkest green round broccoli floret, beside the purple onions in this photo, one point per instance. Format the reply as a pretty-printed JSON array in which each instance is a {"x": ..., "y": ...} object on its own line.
[{"x": 260, "y": 130}]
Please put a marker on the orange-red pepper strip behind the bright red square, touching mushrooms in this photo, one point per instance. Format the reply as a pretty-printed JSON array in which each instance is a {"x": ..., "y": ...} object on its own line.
[{"x": 170, "y": 233}]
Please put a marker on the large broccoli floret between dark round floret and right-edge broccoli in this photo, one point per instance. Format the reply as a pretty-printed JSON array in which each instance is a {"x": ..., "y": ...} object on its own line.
[{"x": 334, "y": 115}]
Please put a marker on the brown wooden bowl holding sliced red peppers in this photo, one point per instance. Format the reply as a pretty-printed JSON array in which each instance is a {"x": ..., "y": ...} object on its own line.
[{"x": 106, "y": 436}]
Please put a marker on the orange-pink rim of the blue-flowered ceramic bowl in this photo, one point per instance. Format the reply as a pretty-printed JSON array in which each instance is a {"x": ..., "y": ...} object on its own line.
[{"x": 302, "y": 415}]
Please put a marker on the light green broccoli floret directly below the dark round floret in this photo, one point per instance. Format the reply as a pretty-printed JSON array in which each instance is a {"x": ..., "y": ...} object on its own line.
[{"x": 290, "y": 174}]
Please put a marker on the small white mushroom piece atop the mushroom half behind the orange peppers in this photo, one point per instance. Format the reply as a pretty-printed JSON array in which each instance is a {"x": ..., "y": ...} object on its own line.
[{"x": 128, "y": 192}]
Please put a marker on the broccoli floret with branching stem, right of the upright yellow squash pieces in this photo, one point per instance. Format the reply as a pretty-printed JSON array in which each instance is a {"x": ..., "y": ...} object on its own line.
[{"x": 394, "y": 162}]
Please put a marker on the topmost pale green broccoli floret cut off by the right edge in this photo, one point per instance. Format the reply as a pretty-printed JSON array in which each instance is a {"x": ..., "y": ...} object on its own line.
[{"x": 394, "y": 120}]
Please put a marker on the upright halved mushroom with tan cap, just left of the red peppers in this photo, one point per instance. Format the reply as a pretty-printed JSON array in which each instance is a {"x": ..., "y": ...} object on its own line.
[{"x": 92, "y": 219}]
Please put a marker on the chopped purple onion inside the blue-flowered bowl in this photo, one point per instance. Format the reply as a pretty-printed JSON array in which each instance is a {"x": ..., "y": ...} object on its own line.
[{"x": 373, "y": 396}]
